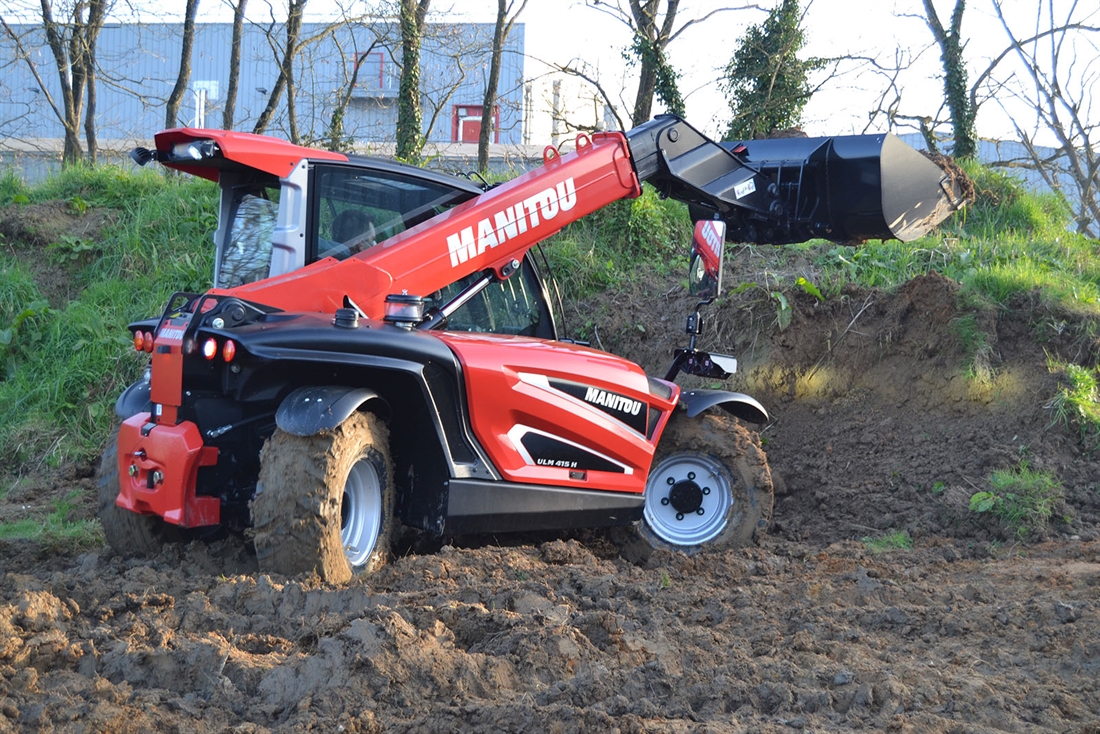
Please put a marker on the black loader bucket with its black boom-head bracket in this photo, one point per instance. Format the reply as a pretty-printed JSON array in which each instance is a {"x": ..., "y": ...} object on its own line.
[{"x": 846, "y": 189}]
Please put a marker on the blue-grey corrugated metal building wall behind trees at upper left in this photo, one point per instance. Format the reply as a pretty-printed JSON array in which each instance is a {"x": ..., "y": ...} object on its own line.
[{"x": 139, "y": 65}]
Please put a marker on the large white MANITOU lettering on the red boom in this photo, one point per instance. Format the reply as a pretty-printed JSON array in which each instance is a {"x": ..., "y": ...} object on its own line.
[{"x": 512, "y": 222}]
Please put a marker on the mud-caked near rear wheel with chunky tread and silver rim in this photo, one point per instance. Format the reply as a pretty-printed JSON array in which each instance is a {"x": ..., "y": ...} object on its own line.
[{"x": 325, "y": 503}]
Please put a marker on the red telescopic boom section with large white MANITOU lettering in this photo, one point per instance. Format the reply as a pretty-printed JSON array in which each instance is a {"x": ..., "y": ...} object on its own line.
[{"x": 489, "y": 232}]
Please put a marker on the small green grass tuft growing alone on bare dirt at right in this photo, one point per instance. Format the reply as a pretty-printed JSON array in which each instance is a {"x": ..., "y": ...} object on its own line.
[{"x": 1022, "y": 499}]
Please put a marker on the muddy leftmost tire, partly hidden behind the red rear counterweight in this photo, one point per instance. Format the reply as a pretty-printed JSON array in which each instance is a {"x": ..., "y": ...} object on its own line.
[{"x": 128, "y": 533}]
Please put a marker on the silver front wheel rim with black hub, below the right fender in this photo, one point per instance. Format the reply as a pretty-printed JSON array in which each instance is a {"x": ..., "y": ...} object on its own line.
[{"x": 688, "y": 500}]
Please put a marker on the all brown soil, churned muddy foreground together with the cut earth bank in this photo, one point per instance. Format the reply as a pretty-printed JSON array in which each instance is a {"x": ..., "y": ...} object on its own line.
[{"x": 883, "y": 421}]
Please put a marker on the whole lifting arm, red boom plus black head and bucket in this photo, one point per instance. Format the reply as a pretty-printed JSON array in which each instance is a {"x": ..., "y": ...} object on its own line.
[{"x": 761, "y": 200}]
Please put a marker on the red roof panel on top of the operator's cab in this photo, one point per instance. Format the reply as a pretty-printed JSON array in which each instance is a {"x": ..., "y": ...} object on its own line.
[{"x": 268, "y": 155}]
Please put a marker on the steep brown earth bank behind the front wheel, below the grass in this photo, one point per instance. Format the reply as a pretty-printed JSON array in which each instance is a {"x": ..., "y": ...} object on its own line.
[{"x": 888, "y": 411}]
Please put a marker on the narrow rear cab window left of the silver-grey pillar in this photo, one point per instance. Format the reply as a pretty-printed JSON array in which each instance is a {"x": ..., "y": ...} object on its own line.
[{"x": 247, "y": 257}]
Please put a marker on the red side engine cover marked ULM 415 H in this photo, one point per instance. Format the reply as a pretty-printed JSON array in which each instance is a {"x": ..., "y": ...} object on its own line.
[{"x": 512, "y": 380}]
